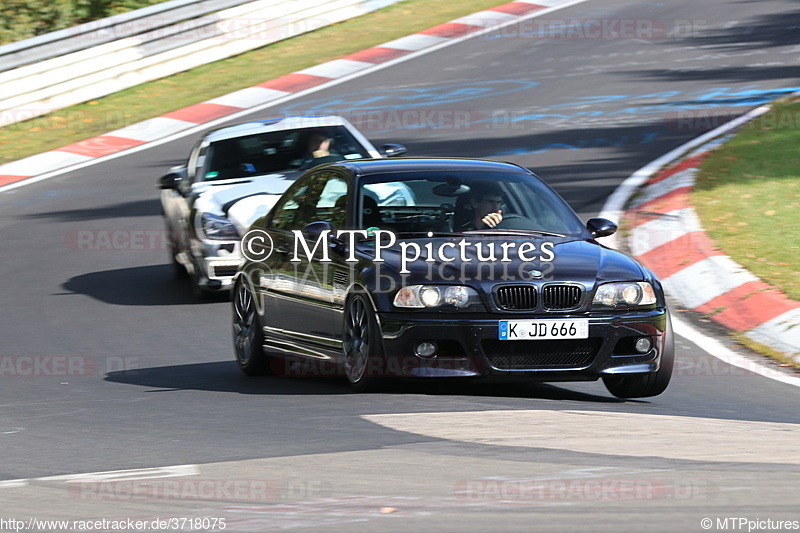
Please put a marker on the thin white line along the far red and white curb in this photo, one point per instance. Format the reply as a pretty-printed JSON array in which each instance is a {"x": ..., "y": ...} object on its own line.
[{"x": 245, "y": 112}]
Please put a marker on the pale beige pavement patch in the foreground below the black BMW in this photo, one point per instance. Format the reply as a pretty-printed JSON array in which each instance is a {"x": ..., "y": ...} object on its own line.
[{"x": 611, "y": 433}]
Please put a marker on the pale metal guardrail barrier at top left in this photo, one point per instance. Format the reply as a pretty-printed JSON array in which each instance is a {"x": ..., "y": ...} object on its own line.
[{"x": 75, "y": 65}]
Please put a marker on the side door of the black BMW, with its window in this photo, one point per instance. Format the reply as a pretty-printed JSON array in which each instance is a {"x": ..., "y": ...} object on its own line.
[{"x": 300, "y": 293}]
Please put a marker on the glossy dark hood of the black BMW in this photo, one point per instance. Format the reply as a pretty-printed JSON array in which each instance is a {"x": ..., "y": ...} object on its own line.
[{"x": 574, "y": 260}]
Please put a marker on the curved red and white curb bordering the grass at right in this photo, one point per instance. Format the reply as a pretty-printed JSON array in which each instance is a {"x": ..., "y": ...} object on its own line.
[{"x": 666, "y": 236}]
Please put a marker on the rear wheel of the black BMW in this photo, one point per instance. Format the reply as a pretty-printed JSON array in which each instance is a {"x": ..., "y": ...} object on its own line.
[{"x": 248, "y": 336}]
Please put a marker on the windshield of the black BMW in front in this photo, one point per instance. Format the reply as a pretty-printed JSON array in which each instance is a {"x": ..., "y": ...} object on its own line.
[{"x": 460, "y": 202}]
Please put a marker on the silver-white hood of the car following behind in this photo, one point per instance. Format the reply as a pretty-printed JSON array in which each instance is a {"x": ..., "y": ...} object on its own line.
[{"x": 242, "y": 200}]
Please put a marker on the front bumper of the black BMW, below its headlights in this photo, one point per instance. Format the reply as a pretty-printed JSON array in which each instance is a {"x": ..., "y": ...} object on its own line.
[{"x": 471, "y": 347}]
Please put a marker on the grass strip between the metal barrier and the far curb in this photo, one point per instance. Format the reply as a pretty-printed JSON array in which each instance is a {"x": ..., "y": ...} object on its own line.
[{"x": 215, "y": 79}]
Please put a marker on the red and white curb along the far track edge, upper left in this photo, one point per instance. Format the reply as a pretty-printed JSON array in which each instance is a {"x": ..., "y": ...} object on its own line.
[{"x": 186, "y": 121}]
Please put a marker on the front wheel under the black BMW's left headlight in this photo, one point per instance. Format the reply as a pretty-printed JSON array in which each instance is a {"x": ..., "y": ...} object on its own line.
[{"x": 361, "y": 344}]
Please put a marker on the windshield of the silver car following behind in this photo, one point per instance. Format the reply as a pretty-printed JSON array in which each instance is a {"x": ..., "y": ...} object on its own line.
[{"x": 279, "y": 151}]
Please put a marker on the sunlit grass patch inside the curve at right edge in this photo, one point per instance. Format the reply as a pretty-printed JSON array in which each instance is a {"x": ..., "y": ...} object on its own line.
[{"x": 748, "y": 197}]
